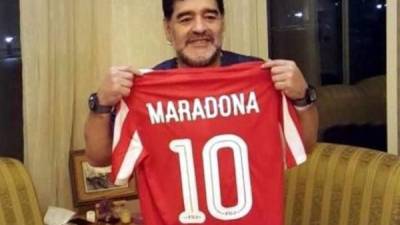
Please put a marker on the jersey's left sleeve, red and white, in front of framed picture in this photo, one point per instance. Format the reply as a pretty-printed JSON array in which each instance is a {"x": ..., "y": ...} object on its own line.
[{"x": 127, "y": 148}]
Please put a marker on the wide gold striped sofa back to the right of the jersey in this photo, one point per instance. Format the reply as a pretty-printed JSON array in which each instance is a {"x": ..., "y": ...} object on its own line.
[{"x": 344, "y": 185}]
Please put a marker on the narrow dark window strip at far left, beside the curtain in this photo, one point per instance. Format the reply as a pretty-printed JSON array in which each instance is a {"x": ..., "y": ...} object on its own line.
[{"x": 11, "y": 133}]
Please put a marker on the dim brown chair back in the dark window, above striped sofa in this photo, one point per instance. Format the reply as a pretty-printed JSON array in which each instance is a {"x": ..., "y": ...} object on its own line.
[{"x": 359, "y": 104}]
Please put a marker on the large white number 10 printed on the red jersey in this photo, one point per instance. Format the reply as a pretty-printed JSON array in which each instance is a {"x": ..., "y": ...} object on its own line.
[{"x": 191, "y": 213}]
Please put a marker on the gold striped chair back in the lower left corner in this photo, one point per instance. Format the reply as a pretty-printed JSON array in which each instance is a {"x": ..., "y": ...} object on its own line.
[{"x": 18, "y": 201}]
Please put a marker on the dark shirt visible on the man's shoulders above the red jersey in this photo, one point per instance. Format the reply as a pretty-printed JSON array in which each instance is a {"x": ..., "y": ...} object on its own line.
[{"x": 227, "y": 59}]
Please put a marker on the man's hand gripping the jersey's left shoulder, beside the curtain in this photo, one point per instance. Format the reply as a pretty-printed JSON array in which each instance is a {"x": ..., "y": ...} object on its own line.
[{"x": 117, "y": 84}]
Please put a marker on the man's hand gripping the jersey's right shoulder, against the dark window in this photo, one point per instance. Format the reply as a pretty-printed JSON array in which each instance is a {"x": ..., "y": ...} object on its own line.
[{"x": 287, "y": 77}]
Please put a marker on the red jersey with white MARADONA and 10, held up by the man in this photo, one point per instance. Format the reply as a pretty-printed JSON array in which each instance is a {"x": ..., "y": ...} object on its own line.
[{"x": 207, "y": 146}]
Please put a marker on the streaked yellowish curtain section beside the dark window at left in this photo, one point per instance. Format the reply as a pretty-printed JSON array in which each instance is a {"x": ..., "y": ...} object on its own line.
[{"x": 65, "y": 48}]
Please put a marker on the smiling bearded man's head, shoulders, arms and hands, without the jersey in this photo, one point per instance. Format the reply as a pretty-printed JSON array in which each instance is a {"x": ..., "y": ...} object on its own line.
[{"x": 195, "y": 29}]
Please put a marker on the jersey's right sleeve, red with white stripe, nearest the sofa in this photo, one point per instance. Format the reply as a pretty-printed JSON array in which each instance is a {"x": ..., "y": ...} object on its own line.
[{"x": 294, "y": 150}]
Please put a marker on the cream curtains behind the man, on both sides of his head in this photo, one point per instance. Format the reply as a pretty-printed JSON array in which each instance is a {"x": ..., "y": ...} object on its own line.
[{"x": 68, "y": 46}]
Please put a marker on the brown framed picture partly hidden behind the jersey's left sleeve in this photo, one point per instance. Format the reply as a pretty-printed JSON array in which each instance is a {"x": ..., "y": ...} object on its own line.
[{"x": 91, "y": 184}]
